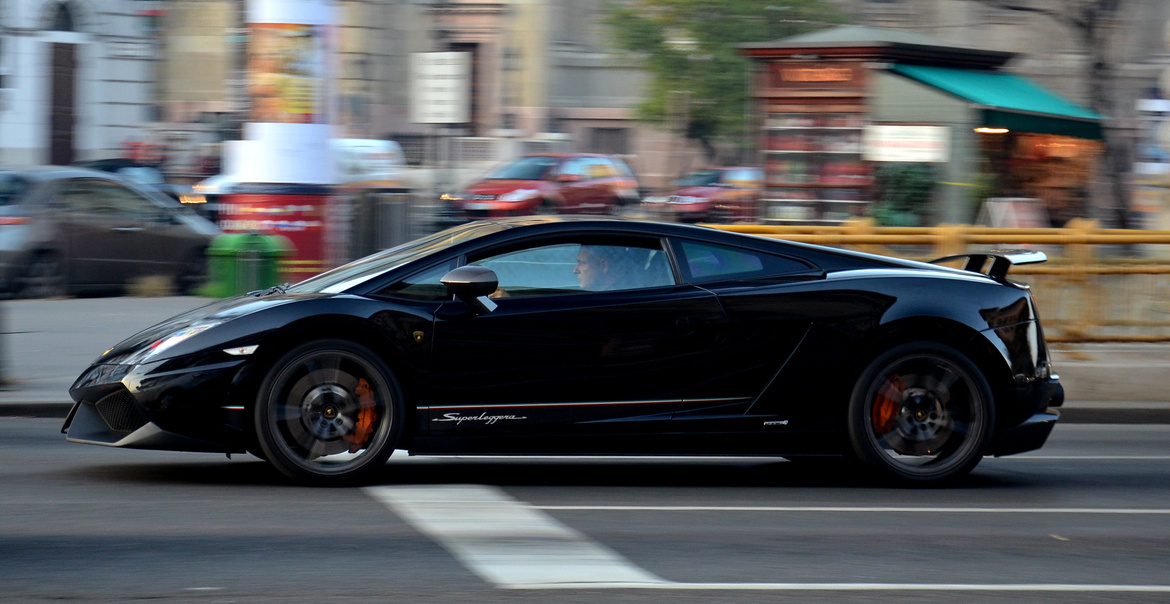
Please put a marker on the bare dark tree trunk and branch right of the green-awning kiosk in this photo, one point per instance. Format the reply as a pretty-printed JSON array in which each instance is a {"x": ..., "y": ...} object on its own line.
[{"x": 1092, "y": 24}]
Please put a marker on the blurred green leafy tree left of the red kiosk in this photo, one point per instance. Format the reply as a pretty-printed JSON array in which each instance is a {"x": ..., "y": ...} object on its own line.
[{"x": 699, "y": 79}]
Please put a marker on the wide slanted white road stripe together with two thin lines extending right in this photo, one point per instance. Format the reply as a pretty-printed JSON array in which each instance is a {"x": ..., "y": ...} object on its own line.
[{"x": 513, "y": 545}]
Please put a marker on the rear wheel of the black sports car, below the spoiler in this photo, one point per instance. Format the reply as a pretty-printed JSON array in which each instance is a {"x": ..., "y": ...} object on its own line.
[{"x": 921, "y": 413}]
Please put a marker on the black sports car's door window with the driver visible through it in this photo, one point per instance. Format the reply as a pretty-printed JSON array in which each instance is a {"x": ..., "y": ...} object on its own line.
[{"x": 567, "y": 269}]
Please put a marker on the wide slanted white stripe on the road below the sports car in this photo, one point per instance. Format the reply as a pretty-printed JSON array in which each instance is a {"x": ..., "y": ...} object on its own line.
[{"x": 508, "y": 543}]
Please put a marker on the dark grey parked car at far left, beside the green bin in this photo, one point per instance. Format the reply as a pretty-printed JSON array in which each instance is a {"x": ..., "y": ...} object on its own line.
[{"x": 72, "y": 230}]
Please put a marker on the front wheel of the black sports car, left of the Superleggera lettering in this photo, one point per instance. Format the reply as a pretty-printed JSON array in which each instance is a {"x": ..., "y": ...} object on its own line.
[{"x": 312, "y": 407}]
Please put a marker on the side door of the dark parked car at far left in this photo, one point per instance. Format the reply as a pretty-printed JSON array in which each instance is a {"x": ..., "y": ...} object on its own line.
[{"x": 100, "y": 242}]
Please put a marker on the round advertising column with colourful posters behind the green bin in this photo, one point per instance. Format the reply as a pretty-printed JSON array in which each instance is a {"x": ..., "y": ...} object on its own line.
[{"x": 284, "y": 166}]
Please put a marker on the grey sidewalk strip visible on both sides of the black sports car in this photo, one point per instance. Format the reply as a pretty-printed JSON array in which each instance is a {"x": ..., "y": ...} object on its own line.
[{"x": 45, "y": 345}]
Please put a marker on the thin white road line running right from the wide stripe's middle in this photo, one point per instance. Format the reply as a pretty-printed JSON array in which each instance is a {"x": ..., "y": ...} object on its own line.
[{"x": 842, "y": 510}]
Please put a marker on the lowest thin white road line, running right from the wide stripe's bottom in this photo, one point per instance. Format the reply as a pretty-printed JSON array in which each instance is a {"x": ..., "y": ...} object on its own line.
[{"x": 1069, "y": 588}]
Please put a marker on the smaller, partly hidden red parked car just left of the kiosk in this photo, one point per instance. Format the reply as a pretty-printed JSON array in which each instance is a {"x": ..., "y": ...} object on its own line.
[{"x": 713, "y": 195}]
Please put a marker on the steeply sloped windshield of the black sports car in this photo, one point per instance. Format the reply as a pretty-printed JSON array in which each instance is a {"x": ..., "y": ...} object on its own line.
[{"x": 361, "y": 271}]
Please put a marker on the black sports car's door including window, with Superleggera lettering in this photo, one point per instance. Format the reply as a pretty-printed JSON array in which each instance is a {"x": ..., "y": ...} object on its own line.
[{"x": 563, "y": 356}]
